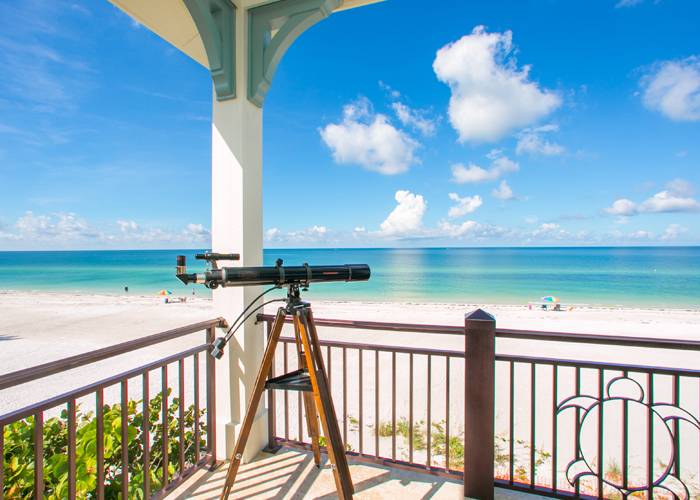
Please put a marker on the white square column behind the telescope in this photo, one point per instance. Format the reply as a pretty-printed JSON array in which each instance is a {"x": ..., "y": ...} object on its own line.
[{"x": 237, "y": 228}]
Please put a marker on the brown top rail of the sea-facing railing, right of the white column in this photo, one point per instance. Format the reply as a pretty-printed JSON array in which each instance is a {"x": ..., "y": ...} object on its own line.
[{"x": 584, "y": 338}]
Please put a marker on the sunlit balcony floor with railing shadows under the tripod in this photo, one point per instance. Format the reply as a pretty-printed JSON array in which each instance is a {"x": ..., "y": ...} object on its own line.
[{"x": 291, "y": 474}]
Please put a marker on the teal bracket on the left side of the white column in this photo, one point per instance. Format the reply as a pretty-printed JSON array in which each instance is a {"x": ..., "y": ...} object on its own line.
[{"x": 216, "y": 23}]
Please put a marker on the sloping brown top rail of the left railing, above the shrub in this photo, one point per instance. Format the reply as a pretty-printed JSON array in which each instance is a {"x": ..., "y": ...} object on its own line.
[{"x": 44, "y": 370}]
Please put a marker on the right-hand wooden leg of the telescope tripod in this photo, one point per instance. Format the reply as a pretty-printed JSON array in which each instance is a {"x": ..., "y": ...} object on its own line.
[{"x": 322, "y": 396}]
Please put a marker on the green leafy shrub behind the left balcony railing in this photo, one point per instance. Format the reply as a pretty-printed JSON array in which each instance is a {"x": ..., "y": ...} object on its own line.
[{"x": 18, "y": 457}]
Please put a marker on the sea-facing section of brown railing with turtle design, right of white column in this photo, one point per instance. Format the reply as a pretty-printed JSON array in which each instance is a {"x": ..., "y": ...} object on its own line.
[{"x": 563, "y": 427}]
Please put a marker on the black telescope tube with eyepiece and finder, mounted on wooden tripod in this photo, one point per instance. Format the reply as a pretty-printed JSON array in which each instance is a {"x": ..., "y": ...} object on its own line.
[{"x": 278, "y": 275}]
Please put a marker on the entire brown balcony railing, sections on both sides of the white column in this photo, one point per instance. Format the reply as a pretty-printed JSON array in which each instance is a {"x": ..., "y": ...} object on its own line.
[{"x": 553, "y": 426}]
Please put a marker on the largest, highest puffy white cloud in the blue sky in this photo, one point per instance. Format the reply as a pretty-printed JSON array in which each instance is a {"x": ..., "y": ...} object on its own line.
[{"x": 491, "y": 96}]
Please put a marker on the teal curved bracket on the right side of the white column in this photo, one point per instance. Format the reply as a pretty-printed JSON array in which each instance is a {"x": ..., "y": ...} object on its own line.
[{"x": 273, "y": 27}]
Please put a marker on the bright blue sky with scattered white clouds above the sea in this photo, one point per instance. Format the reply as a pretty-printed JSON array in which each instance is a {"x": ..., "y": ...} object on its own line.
[{"x": 499, "y": 123}]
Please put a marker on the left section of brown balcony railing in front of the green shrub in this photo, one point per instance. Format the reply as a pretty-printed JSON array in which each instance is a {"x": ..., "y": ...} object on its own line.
[{"x": 113, "y": 449}]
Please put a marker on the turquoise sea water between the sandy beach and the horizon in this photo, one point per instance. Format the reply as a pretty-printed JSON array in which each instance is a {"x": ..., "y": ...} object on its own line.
[{"x": 659, "y": 276}]
